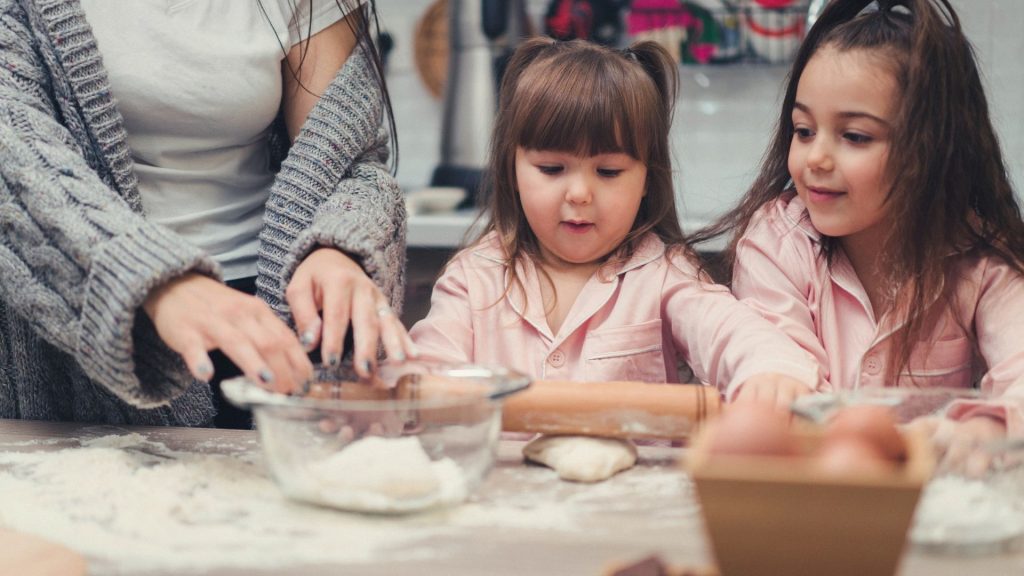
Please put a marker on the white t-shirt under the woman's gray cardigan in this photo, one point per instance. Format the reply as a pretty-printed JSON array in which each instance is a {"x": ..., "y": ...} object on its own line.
[{"x": 199, "y": 84}]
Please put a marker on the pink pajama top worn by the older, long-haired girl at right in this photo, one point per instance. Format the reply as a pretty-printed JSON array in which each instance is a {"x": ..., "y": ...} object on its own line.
[{"x": 826, "y": 310}]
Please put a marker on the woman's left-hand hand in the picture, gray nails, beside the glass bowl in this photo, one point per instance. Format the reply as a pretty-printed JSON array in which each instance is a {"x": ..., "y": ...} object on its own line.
[{"x": 195, "y": 314}]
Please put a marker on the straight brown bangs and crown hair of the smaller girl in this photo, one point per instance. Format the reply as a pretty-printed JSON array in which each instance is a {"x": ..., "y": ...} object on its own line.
[{"x": 585, "y": 114}]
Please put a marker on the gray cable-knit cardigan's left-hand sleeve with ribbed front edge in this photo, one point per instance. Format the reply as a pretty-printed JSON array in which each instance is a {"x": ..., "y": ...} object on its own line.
[{"x": 76, "y": 260}]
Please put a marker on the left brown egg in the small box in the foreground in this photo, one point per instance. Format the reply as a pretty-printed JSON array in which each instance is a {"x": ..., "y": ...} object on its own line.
[{"x": 752, "y": 430}]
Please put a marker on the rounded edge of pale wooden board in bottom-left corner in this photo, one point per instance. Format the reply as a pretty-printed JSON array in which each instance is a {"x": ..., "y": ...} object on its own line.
[{"x": 25, "y": 555}]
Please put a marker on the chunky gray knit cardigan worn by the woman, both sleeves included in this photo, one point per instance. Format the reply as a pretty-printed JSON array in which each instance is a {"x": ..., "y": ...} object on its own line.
[{"x": 78, "y": 256}]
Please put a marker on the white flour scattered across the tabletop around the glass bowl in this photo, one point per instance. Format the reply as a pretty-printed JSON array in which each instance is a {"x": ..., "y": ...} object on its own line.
[{"x": 135, "y": 507}]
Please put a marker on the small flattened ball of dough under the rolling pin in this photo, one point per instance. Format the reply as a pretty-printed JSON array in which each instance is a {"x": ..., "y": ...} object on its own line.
[{"x": 582, "y": 459}]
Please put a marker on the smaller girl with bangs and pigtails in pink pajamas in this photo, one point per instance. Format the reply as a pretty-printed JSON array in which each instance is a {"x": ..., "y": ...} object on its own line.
[{"x": 583, "y": 272}]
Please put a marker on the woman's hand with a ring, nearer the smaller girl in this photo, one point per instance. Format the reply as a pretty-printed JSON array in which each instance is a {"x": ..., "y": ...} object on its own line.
[{"x": 330, "y": 282}]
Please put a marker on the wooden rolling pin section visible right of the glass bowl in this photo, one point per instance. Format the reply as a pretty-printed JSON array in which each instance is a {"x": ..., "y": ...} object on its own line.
[{"x": 620, "y": 409}]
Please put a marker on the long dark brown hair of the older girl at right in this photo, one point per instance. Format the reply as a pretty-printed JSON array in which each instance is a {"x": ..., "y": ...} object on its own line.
[{"x": 951, "y": 195}]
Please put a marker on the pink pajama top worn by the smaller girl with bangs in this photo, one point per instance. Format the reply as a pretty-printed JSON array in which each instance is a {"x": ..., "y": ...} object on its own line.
[{"x": 634, "y": 323}]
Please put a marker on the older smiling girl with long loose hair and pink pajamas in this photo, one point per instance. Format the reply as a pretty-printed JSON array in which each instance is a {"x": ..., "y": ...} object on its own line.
[{"x": 883, "y": 234}]
